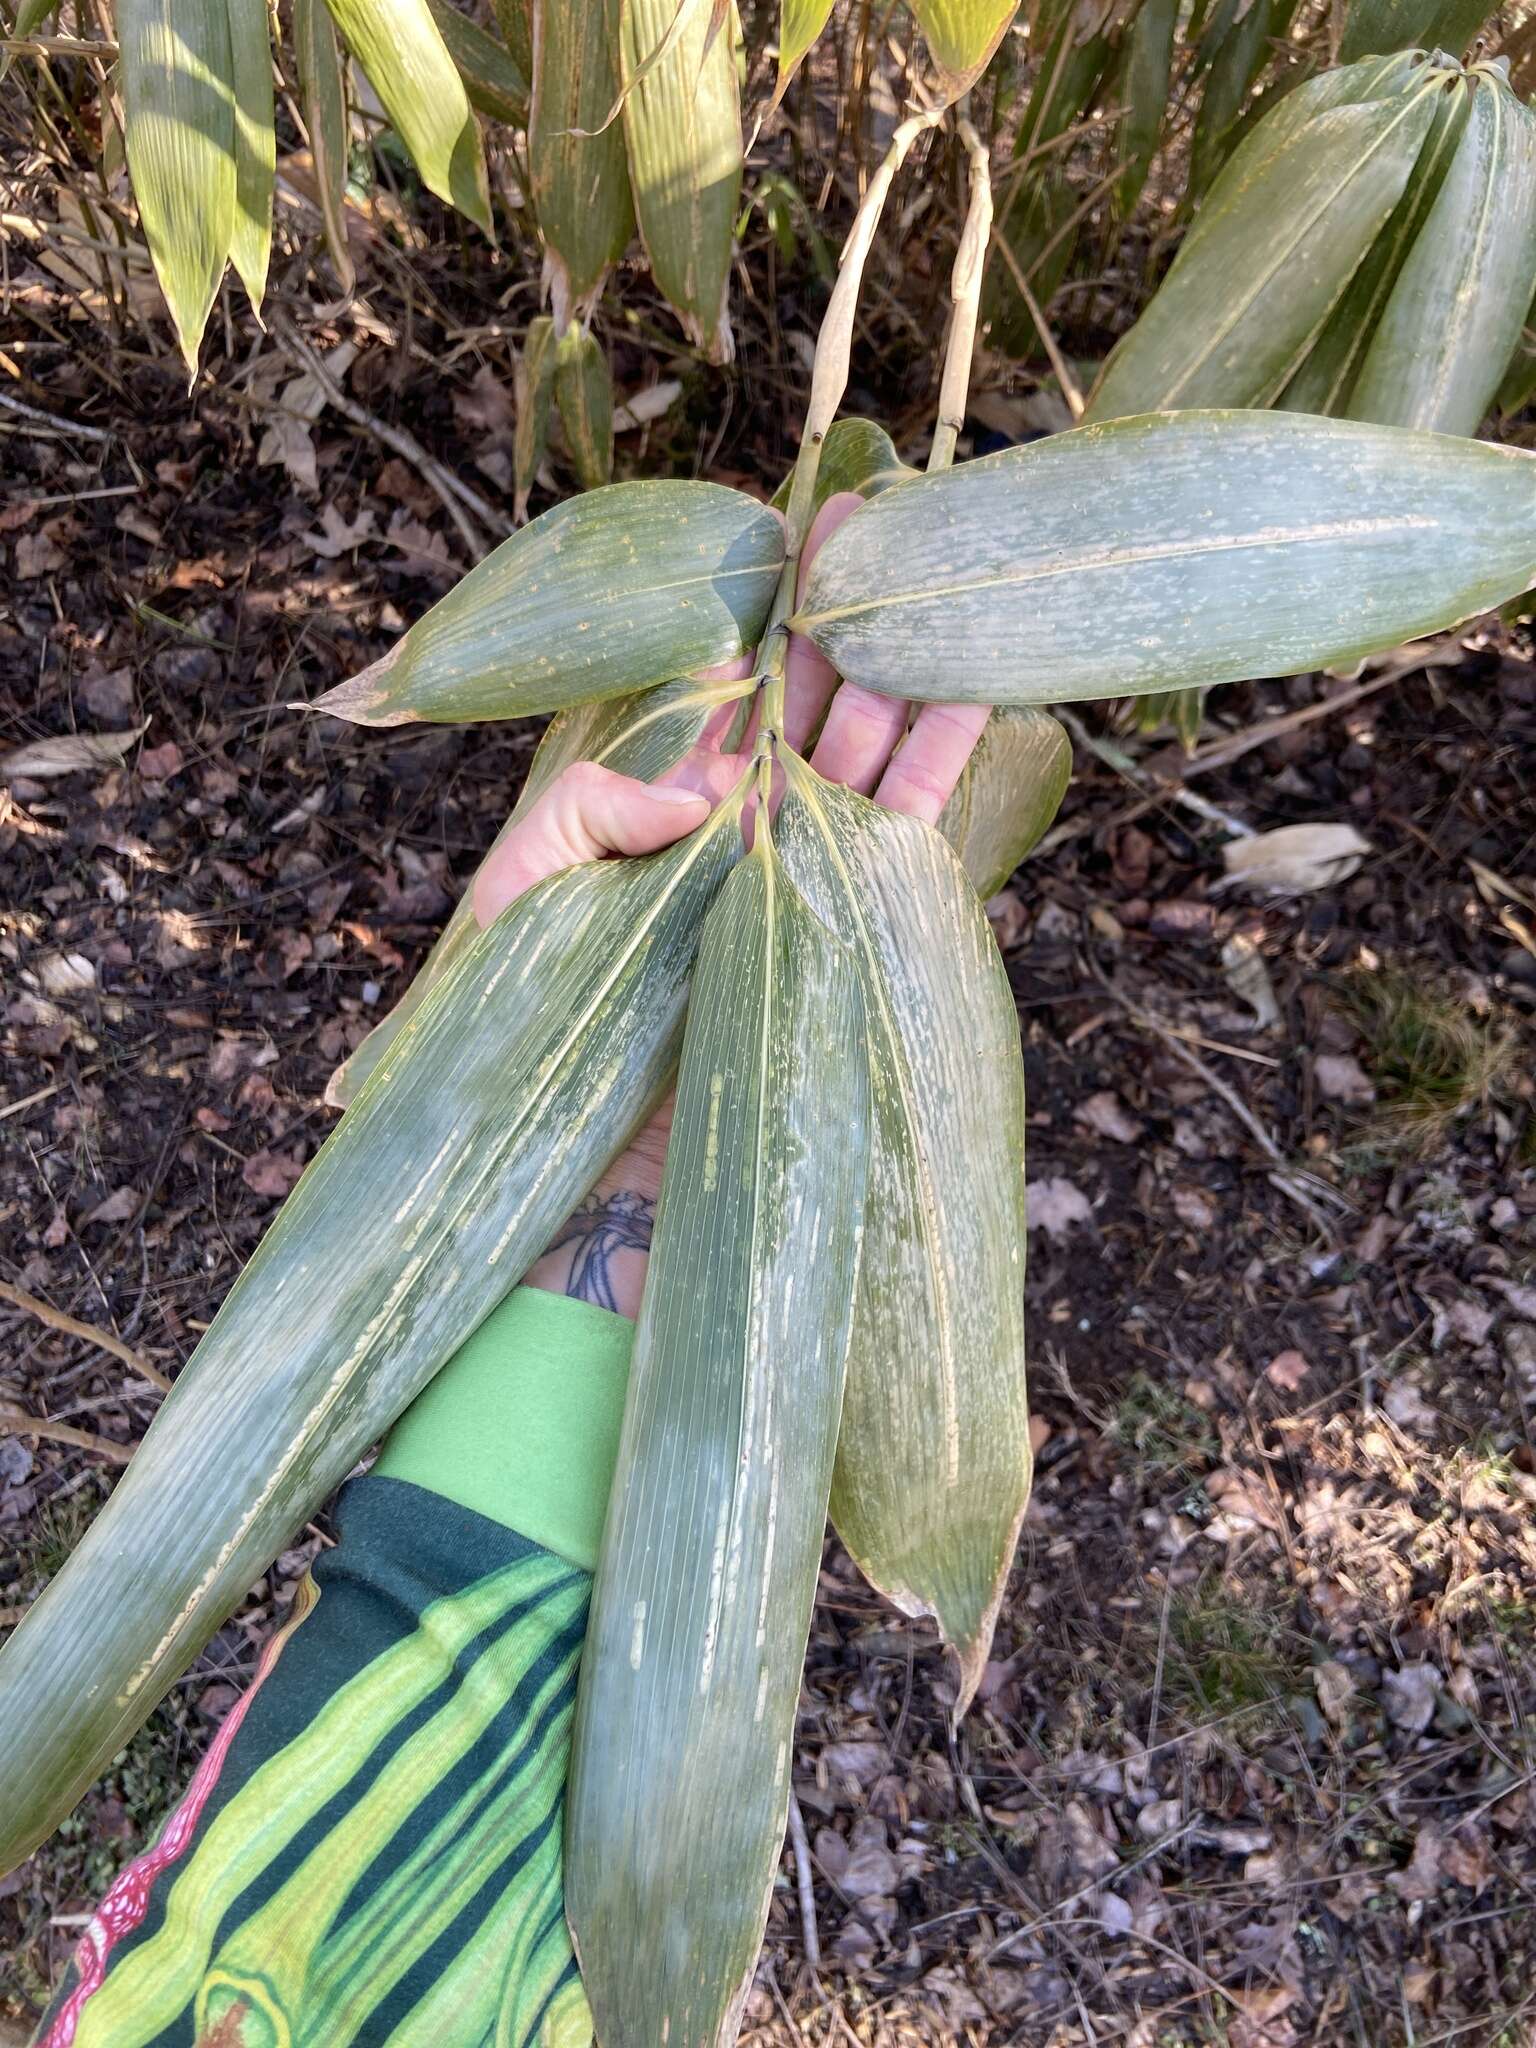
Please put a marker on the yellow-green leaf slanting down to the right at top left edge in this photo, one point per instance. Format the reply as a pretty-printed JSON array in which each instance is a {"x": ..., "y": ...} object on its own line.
[{"x": 409, "y": 65}]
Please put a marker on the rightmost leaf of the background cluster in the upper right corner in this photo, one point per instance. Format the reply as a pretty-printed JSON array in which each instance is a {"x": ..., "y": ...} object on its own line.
[{"x": 1459, "y": 302}]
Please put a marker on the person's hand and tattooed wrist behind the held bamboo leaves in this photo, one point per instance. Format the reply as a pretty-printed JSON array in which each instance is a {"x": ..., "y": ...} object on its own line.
[{"x": 589, "y": 814}]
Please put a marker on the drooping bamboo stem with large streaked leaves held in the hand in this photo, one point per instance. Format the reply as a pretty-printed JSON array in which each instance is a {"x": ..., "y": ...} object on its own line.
[{"x": 851, "y": 1099}]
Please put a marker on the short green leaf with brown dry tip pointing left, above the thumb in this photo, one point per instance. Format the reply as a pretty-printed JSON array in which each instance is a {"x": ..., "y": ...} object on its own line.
[{"x": 603, "y": 595}]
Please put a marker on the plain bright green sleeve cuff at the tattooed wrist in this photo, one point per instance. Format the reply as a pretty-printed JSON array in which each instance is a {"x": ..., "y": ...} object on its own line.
[{"x": 523, "y": 1422}]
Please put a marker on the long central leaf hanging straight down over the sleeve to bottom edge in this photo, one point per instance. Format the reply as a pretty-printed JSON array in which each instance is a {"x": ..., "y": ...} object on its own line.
[{"x": 701, "y": 1607}]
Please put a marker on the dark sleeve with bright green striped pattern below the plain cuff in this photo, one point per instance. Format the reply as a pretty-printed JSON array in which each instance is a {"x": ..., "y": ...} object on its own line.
[{"x": 372, "y": 1850}]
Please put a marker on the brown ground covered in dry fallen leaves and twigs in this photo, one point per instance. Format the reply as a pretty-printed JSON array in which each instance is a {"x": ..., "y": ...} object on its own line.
[{"x": 1256, "y": 1758}]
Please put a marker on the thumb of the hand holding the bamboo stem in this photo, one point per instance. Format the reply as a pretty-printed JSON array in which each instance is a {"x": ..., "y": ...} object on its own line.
[{"x": 587, "y": 814}]
